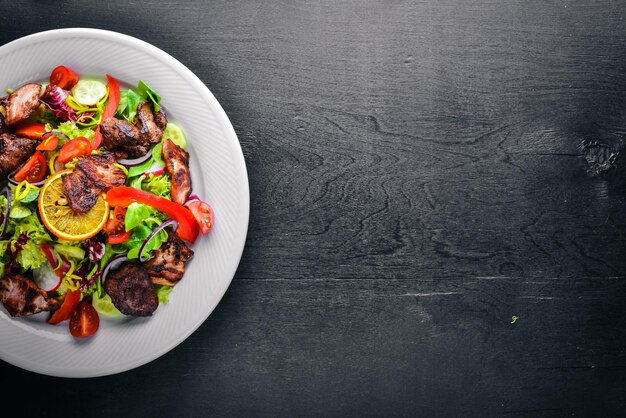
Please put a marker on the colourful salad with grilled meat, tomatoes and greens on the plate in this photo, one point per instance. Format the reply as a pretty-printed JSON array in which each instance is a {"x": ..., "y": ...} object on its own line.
[{"x": 97, "y": 214}]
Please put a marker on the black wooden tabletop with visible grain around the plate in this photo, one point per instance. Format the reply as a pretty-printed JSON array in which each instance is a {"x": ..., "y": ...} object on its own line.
[{"x": 420, "y": 172}]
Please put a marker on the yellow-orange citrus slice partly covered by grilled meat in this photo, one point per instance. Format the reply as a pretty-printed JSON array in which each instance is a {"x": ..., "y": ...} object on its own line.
[{"x": 61, "y": 220}]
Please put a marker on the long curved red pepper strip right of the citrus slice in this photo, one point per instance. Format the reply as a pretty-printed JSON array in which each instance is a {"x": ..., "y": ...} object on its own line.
[{"x": 187, "y": 226}]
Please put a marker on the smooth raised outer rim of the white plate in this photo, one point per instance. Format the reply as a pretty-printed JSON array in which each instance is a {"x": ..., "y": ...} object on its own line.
[{"x": 238, "y": 160}]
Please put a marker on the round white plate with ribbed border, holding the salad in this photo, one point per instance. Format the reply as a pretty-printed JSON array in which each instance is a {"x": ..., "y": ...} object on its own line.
[{"x": 218, "y": 174}]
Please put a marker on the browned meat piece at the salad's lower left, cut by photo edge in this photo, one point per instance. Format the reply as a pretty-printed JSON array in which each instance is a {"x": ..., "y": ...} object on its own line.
[{"x": 21, "y": 296}]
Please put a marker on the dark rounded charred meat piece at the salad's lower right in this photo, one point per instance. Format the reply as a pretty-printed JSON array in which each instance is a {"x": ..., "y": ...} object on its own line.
[{"x": 131, "y": 290}]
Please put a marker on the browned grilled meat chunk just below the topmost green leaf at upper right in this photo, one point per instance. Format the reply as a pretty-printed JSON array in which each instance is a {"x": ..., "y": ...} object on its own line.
[{"x": 135, "y": 138}]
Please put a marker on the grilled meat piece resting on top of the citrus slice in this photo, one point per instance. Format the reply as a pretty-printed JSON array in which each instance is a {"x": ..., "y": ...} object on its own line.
[{"x": 93, "y": 175}]
